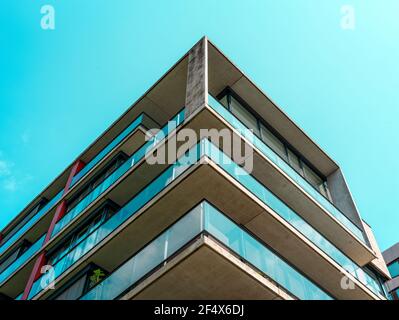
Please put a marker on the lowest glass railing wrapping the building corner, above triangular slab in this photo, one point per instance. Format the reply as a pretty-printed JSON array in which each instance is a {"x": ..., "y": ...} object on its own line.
[{"x": 205, "y": 219}]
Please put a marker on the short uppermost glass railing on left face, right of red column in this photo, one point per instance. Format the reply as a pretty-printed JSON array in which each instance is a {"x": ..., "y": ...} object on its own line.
[{"x": 134, "y": 125}]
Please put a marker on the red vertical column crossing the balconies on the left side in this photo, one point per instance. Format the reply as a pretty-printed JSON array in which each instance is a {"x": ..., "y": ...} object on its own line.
[{"x": 59, "y": 213}]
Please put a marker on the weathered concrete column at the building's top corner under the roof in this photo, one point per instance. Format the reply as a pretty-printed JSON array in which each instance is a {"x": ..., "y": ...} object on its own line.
[{"x": 197, "y": 77}]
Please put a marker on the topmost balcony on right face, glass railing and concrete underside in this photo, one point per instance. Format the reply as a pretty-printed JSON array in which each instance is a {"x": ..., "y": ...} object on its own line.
[{"x": 292, "y": 188}]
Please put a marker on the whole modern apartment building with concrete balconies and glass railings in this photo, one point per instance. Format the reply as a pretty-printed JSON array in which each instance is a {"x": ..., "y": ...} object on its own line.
[{"x": 114, "y": 225}]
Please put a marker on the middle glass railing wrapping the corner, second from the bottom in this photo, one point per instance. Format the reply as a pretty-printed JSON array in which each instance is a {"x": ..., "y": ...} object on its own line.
[{"x": 205, "y": 148}]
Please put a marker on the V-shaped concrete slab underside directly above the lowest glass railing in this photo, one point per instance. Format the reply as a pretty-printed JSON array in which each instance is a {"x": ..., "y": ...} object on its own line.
[{"x": 207, "y": 181}]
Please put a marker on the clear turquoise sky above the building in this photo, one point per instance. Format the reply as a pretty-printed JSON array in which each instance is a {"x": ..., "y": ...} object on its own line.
[{"x": 69, "y": 84}]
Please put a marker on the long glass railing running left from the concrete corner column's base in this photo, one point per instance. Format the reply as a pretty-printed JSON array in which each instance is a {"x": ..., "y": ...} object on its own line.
[{"x": 110, "y": 180}]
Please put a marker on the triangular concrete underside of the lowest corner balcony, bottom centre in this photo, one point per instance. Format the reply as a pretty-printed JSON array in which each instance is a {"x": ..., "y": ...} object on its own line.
[{"x": 205, "y": 270}]
